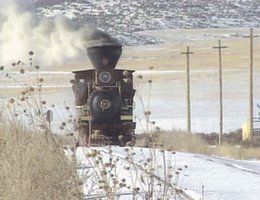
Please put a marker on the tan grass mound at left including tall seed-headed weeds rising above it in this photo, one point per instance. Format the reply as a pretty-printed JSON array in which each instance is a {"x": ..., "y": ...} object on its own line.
[{"x": 33, "y": 164}]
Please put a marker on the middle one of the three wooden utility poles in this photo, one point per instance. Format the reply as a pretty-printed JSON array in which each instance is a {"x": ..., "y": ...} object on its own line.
[{"x": 219, "y": 47}]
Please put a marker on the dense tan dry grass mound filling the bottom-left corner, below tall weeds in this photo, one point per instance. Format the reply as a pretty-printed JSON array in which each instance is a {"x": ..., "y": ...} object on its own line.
[{"x": 33, "y": 166}]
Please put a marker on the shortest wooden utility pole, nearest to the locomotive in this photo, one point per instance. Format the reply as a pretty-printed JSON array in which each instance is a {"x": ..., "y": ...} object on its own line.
[{"x": 187, "y": 53}]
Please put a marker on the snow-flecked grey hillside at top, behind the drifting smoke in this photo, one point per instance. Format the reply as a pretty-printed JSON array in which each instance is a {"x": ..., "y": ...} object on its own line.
[{"x": 124, "y": 18}]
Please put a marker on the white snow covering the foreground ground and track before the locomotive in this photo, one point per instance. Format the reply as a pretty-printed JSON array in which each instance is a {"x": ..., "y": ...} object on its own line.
[{"x": 136, "y": 171}]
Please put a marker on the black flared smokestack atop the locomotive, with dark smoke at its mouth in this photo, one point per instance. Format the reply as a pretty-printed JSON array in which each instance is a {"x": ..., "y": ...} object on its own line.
[{"x": 104, "y": 51}]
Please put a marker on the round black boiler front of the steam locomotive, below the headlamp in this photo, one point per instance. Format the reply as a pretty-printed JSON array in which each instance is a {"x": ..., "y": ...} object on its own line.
[{"x": 105, "y": 105}]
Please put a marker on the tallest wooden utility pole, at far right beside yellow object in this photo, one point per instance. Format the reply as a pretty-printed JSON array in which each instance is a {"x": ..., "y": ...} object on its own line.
[{"x": 251, "y": 83}]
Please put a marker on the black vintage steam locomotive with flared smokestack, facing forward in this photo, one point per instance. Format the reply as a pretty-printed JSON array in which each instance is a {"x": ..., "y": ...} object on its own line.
[{"x": 104, "y": 98}]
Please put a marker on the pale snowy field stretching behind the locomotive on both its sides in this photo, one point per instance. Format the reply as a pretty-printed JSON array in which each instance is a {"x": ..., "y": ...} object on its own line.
[{"x": 167, "y": 101}]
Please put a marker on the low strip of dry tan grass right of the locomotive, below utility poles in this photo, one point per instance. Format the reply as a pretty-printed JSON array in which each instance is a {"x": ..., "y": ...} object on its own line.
[{"x": 181, "y": 141}]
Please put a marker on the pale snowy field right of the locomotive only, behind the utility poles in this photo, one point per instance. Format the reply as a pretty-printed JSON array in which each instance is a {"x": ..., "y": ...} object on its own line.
[{"x": 168, "y": 99}]
